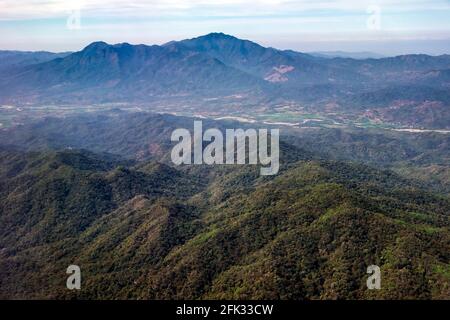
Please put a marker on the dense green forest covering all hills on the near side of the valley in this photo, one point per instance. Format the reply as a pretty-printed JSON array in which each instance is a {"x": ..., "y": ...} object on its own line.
[{"x": 139, "y": 228}]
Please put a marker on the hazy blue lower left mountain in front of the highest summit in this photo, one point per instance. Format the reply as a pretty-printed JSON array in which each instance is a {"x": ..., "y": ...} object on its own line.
[{"x": 101, "y": 72}]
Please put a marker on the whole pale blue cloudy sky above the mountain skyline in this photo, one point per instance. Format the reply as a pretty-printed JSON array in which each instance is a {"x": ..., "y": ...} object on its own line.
[{"x": 383, "y": 26}]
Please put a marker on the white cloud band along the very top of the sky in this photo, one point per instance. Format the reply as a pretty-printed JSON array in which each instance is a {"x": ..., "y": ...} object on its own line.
[{"x": 41, "y": 9}]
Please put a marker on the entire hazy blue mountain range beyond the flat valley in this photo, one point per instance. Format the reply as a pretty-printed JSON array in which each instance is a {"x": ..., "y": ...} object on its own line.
[{"x": 219, "y": 65}]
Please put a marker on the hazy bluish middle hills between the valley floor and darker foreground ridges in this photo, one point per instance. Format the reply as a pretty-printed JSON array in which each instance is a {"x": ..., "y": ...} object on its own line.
[{"x": 144, "y": 136}]
